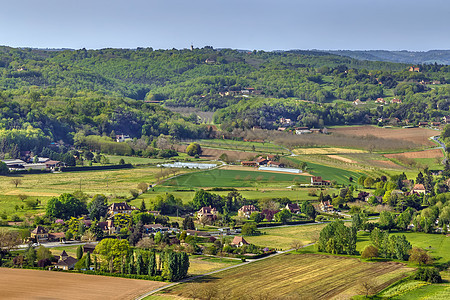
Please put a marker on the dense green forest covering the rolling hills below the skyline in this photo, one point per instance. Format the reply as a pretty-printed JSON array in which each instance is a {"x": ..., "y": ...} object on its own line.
[{"x": 53, "y": 95}]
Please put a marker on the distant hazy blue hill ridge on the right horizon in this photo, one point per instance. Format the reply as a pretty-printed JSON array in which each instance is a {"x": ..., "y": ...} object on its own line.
[{"x": 409, "y": 57}]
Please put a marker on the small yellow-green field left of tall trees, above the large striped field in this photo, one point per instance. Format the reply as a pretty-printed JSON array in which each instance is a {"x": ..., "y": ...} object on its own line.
[{"x": 283, "y": 237}]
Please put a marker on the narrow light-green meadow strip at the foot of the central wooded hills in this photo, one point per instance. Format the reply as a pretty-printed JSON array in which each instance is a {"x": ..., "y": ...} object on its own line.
[{"x": 267, "y": 147}]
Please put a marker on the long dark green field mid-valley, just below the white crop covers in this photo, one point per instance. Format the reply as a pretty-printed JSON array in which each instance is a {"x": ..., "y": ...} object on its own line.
[{"x": 235, "y": 178}]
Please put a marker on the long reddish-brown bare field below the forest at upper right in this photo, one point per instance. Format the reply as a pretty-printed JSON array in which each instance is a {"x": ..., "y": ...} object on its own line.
[{"x": 414, "y": 135}]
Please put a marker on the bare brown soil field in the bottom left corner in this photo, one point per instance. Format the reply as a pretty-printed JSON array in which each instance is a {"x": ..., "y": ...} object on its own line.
[{"x": 35, "y": 284}]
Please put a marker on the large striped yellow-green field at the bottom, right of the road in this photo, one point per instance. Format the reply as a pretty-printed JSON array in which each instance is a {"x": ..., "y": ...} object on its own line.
[{"x": 298, "y": 276}]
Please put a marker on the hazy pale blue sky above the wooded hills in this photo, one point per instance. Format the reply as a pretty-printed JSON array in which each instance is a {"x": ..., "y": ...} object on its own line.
[{"x": 252, "y": 24}]
